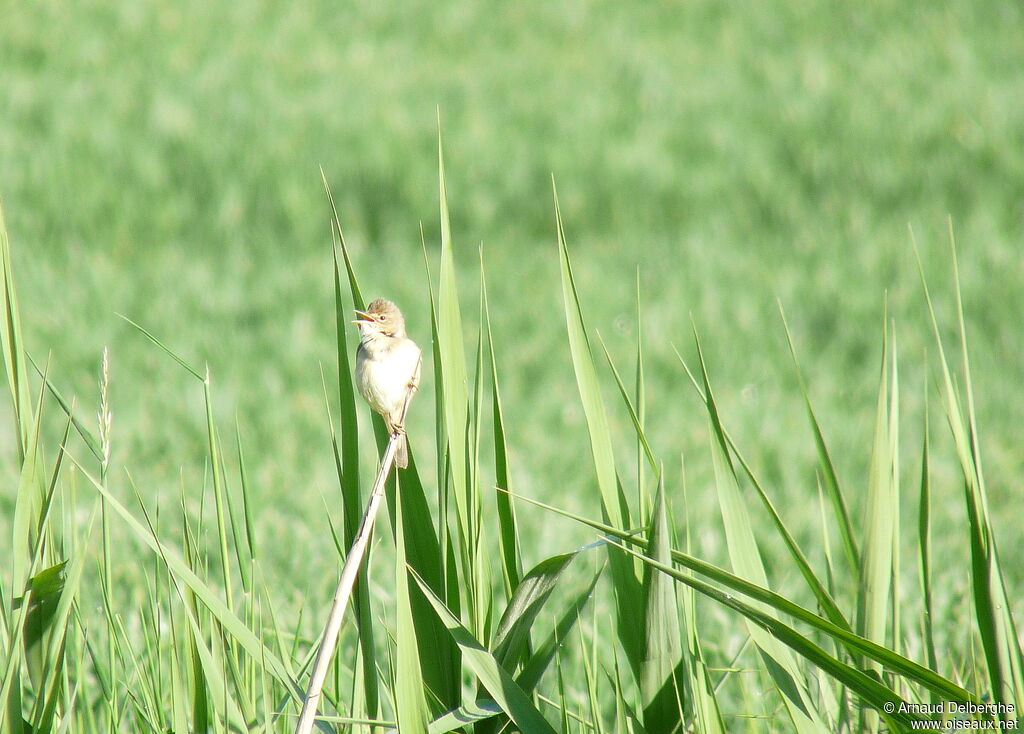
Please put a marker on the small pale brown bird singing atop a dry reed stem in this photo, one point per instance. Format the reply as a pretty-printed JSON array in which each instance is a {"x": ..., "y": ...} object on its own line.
[{"x": 388, "y": 368}]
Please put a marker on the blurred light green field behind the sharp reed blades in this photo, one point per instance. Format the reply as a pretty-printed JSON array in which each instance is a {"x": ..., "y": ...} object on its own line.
[{"x": 161, "y": 161}]
